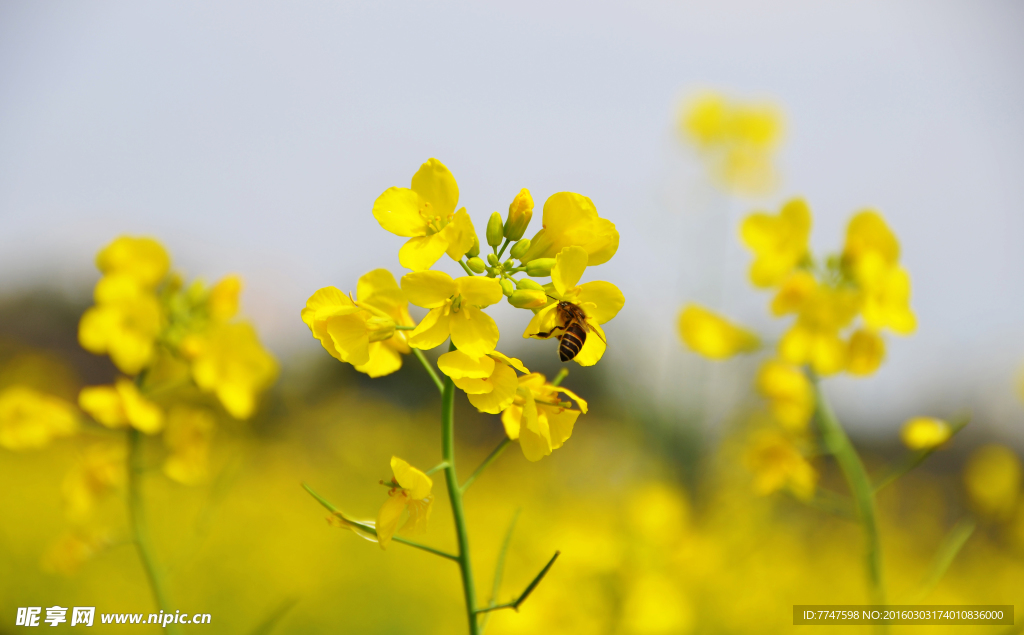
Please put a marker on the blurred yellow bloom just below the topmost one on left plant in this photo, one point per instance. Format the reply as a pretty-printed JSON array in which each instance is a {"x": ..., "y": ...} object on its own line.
[{"x": 125, "y": 324}]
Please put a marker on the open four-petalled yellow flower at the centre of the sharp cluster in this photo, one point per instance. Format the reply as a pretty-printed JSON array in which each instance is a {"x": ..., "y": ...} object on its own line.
[{"x": 456, "y": 311}]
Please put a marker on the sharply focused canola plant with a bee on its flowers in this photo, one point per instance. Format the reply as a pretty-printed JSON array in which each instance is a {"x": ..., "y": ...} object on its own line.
[{"x": 374, "y": 330}]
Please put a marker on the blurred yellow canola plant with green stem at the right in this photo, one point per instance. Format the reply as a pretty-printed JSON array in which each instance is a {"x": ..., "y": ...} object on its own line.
[{"x": 838, "y": 310}]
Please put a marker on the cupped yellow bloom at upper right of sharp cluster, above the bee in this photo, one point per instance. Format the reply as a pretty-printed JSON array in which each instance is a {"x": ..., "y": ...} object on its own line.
[{"x": 571, "y": 221}]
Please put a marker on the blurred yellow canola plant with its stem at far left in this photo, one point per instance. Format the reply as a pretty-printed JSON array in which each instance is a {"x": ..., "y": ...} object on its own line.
[{"x": 173, "y": 343}]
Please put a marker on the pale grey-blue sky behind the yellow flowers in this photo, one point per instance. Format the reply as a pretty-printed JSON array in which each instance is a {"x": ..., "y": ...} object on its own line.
[{"x": 253, "y": 138}]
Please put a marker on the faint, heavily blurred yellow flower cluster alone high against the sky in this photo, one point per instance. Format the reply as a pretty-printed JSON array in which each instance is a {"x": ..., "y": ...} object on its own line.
[{"x": 737, "y": 141}]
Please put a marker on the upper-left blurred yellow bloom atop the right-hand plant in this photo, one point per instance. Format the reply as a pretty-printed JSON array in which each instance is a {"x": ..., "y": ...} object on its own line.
[{"x": 780, "y": 243}]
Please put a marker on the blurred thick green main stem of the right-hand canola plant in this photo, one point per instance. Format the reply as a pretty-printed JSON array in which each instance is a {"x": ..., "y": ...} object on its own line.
[{"x": 839, "y": 445}]
